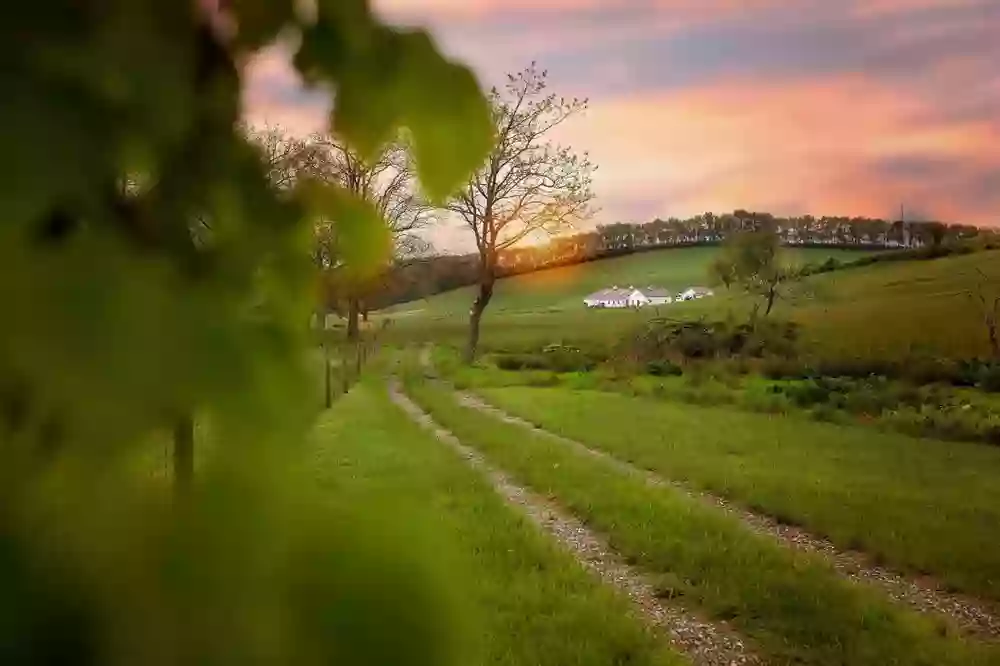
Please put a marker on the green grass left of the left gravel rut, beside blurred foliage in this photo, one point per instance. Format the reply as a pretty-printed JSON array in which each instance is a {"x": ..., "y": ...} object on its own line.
[{"x": 530, "y": 603}]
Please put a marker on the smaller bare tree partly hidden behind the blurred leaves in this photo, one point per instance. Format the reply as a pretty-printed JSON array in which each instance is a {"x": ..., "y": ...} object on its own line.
[{"x": 389, "y": 183}]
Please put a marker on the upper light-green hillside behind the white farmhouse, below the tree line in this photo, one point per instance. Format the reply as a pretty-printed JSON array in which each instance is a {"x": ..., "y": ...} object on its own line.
[{"x": 564, "y": 288}]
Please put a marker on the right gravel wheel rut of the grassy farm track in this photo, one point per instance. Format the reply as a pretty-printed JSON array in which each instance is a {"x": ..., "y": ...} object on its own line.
[{"x": 924, "y": 595}]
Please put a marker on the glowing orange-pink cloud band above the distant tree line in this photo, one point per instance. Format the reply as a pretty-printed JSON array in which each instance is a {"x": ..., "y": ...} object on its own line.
[{"x": 814, "y": 145}]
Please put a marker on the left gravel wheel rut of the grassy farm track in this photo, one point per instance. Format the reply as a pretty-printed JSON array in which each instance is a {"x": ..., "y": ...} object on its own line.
[{"x": 705, "y": 643}]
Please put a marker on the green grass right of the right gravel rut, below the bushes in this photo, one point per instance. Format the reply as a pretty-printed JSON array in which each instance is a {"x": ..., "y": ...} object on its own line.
[{"x": 919, "y": 505}]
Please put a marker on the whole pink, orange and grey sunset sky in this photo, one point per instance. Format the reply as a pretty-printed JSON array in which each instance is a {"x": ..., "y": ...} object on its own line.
[{"x": 823, "y": 107}]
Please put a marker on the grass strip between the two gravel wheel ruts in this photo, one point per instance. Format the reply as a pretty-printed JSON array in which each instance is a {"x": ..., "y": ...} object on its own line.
[{"x": 793, "y": 606}]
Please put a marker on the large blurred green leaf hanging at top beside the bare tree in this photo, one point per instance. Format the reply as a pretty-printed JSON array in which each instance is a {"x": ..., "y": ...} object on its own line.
[{"x": 390, "y": 79}]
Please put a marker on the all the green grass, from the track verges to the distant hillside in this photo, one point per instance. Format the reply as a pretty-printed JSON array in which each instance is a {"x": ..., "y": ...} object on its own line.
[{"x": 919, "y": 506}]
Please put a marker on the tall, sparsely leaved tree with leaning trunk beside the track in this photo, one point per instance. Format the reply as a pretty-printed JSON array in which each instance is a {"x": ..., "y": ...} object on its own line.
[{"x": 527, "y": 186}]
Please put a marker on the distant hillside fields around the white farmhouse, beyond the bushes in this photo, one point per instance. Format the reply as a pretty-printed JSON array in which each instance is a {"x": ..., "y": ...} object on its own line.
[{"x": 888, "y": 310}]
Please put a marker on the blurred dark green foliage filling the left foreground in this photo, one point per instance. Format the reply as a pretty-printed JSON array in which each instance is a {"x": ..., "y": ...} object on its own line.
[{"x": 149, "y": 270}]
